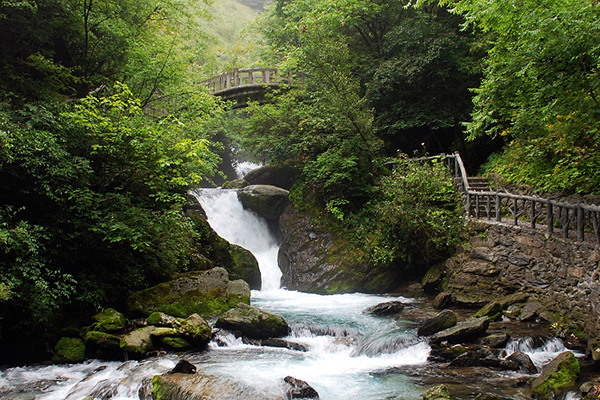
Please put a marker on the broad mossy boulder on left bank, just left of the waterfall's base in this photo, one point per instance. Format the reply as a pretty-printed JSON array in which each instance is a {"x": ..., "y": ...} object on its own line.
[{"x": 205, "y": 293}]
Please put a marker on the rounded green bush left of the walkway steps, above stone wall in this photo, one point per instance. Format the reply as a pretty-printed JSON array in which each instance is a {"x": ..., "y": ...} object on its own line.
[{"x": 414, "y": 215}]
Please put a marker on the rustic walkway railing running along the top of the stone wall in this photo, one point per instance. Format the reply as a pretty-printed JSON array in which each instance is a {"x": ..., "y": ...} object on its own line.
[{"x": 581, "y": 220}]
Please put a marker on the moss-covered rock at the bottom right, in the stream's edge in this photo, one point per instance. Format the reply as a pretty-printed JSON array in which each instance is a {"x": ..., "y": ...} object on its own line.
[{"x": 557, "y": 377}]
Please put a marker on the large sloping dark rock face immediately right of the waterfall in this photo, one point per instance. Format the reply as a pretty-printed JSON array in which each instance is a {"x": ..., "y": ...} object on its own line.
[{"x": 317, "y": 261}]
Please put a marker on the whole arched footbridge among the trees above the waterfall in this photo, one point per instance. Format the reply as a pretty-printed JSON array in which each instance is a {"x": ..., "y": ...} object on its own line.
[{"x": 242, "y": 85}]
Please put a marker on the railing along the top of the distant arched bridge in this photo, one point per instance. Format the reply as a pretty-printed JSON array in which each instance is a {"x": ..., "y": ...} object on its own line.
[{"x": 252, "y": 77}]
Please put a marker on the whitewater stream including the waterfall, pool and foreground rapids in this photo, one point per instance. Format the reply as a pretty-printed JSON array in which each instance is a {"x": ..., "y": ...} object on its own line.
[{"x": 351, "y": 355}]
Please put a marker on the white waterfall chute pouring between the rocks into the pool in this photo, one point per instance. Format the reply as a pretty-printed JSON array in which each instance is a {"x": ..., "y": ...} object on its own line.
[{"x": 231, "y": 221}]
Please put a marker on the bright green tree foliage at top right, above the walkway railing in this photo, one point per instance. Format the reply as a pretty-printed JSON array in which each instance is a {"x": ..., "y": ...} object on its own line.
[{"x": 540, "y": 89}]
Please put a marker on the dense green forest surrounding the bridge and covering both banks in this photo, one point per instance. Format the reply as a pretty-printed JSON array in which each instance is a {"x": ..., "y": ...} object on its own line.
[{"x": 103, "y": 128}]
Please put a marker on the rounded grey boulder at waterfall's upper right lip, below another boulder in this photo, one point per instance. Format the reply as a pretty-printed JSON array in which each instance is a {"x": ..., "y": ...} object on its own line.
[{"x": 265, "y": 200}]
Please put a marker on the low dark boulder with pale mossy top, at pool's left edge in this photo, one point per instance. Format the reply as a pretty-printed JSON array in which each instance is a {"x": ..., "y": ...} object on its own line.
[{"x": 253, "y": 322}]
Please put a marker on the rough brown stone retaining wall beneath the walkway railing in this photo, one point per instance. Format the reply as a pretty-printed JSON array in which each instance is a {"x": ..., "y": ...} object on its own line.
[{"x": 560, "y": 276}]
